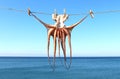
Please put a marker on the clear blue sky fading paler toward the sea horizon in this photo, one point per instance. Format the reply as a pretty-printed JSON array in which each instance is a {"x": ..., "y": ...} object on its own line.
[{"x": 22, "y": 35}]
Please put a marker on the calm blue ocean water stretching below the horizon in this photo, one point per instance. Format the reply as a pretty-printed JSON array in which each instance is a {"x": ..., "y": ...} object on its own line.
[{"x": 38, "y": 68}]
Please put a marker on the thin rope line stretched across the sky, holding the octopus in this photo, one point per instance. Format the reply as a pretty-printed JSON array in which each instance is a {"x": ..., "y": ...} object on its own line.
[{"x": 102, "y": 12}]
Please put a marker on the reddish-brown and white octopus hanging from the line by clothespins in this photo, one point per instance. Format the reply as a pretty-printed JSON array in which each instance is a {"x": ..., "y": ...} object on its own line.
[{"x": 59, "y": 32}]
